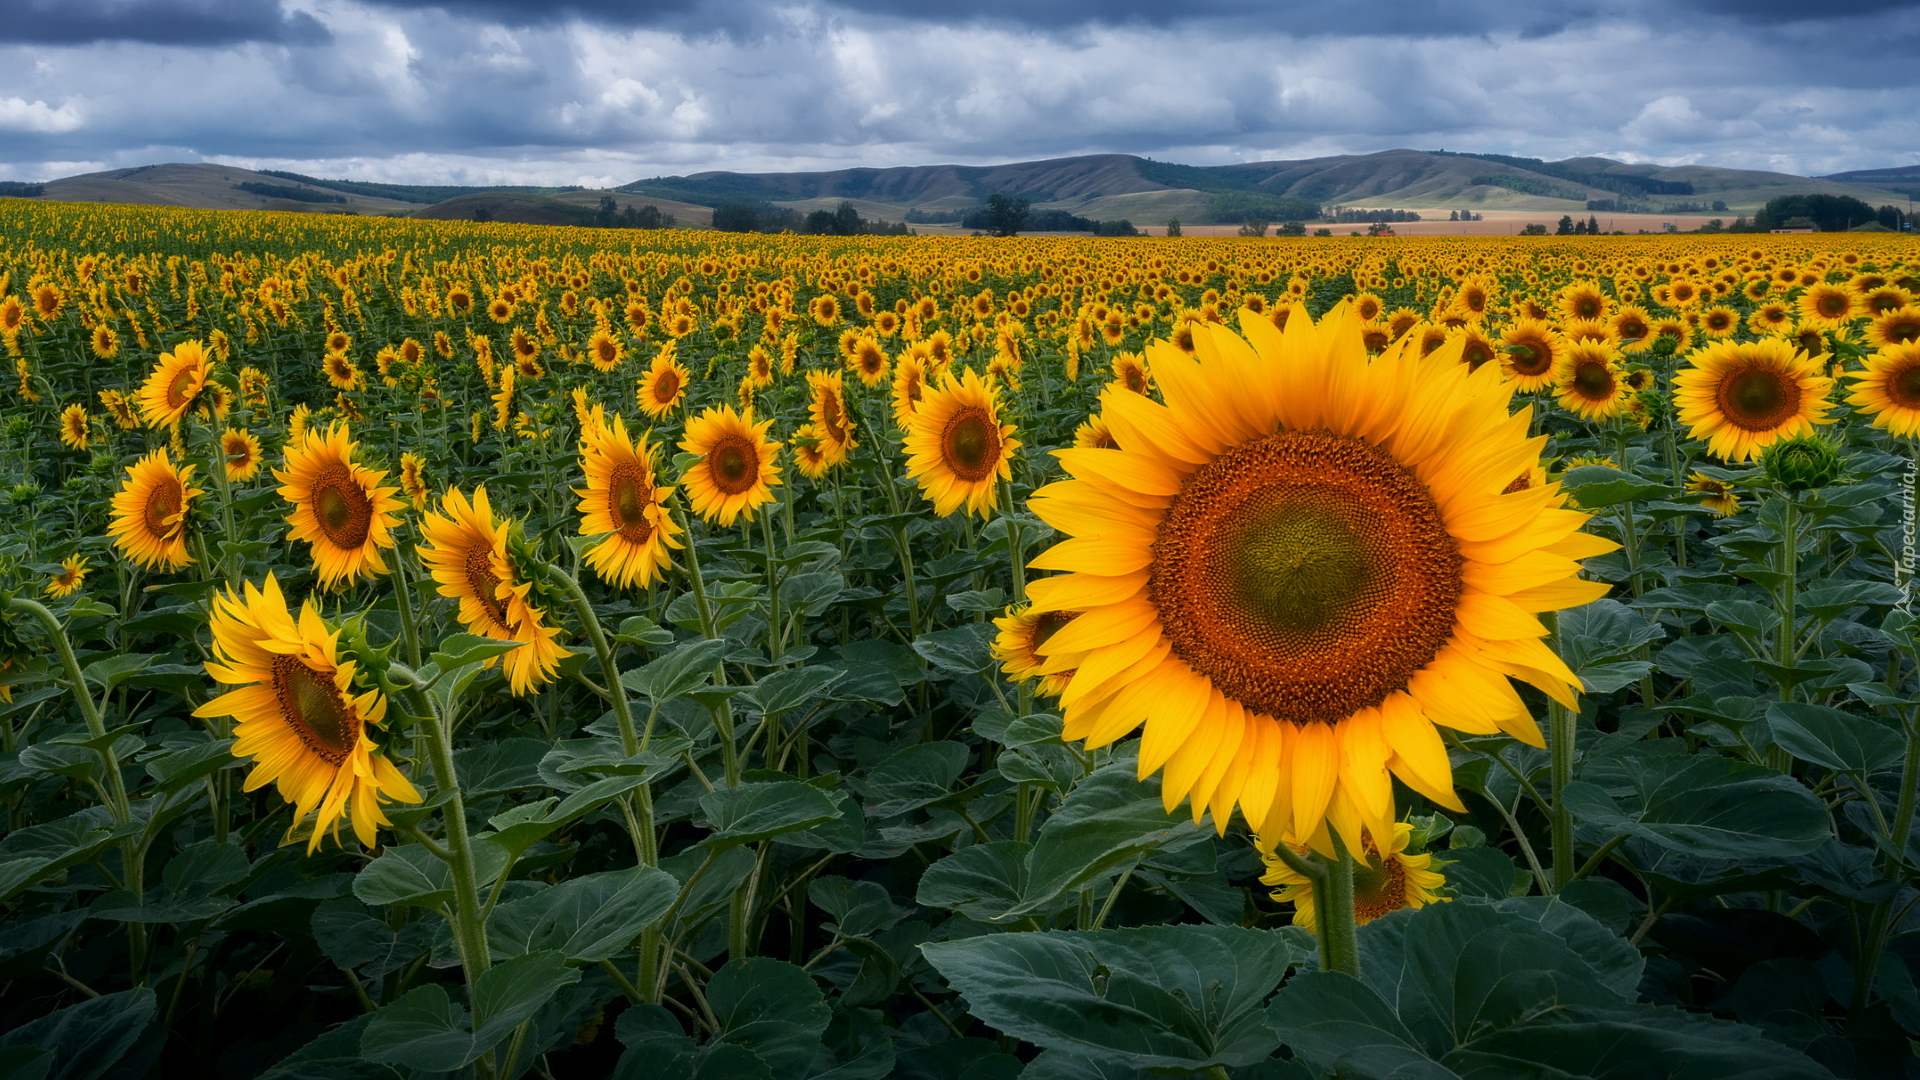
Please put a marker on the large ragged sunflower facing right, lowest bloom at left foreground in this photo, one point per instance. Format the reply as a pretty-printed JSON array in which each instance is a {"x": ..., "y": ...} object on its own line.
[{"x": 299, "y": 714}]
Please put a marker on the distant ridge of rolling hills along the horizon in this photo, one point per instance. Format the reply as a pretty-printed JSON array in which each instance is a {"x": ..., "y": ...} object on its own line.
[{"x": 1097, "y": 185}]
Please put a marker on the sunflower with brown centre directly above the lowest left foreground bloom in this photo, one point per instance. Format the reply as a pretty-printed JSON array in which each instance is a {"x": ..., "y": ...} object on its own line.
[{"x": 339, "y": 506}]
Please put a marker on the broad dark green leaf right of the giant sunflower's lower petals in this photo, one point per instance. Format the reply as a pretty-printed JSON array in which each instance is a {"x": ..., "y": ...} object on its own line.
[{"x": 1708, "y": 806}]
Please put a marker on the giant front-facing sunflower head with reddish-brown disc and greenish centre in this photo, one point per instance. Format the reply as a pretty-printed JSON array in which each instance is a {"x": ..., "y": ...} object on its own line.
[{"x": 1297, "y": 566}]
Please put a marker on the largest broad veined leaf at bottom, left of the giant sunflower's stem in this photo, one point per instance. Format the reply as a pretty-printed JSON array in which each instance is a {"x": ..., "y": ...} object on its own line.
[{"x": 1178, "y": 998}]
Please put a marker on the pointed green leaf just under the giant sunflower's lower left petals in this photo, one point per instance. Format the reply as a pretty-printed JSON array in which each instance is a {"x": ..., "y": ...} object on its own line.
[{"x": 1111, "y": 820}]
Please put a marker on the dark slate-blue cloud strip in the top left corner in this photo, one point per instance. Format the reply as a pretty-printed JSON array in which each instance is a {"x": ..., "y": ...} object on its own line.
[{"x": 158, "y": 22}]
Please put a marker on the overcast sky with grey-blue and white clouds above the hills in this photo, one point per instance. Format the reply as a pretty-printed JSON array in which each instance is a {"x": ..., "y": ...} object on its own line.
[{"x": 610, "y": 91}]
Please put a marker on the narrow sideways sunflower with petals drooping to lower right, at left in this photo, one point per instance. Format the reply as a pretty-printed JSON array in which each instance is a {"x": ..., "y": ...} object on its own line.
[{"x": 468, "y": 556}]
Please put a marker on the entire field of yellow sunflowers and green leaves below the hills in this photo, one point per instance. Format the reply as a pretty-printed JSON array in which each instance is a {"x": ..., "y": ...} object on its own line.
[{"x": 481, "y": 650}]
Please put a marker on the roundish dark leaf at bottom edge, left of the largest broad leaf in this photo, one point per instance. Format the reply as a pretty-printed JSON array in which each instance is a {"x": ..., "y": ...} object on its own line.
[{"x": 773, "y": 1010}]
